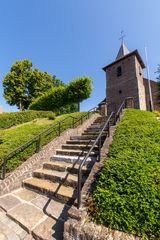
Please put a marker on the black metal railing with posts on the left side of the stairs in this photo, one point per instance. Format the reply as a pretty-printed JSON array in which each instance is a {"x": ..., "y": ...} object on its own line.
[{"x": 38, "y": 138}]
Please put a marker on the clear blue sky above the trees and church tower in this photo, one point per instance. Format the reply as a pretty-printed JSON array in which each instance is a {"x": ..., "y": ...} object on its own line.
[{"x": 72, "y": 38}]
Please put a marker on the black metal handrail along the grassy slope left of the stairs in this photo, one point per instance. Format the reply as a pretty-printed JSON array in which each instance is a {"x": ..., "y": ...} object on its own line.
[{"x": 57, "y": 127}]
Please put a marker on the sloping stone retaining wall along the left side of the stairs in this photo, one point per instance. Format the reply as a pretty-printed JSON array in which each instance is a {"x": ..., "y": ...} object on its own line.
[{"x": 14, "y": 180}]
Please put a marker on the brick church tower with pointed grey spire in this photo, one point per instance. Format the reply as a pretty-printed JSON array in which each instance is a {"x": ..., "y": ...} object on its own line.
[{"x": 124, "y": 78}]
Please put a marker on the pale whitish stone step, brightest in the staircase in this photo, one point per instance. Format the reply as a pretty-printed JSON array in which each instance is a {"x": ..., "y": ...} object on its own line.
[{"x": 72, "y": 159}]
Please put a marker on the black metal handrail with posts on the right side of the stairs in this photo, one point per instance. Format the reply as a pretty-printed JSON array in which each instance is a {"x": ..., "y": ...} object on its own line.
[{"x": 116, "y": 117}]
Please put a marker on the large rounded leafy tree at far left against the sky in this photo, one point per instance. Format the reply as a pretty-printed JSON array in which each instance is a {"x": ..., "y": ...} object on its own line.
[{"x": 23, "y": 84}]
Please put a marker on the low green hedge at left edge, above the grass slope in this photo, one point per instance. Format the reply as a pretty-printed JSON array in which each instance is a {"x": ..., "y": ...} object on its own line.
[{"x": 8, "y": 120}]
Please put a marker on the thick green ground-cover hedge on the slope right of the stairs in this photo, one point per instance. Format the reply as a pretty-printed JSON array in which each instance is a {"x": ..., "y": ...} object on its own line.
[{"x": 127, "y": 194}]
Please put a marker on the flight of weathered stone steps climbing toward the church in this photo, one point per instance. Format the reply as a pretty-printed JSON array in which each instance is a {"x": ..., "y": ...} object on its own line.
[{"x": 58, "y": 177}]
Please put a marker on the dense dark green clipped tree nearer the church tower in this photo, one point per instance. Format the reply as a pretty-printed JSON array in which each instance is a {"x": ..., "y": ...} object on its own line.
[{"x": 76, "y": 91}]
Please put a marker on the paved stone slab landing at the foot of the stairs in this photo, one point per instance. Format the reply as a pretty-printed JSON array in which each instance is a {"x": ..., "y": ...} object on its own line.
[{"x": 26, "y": 215}]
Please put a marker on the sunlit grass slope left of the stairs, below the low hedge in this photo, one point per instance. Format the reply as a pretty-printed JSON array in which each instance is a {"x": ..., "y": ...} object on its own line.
[{"x": 17, "y": 135}]
